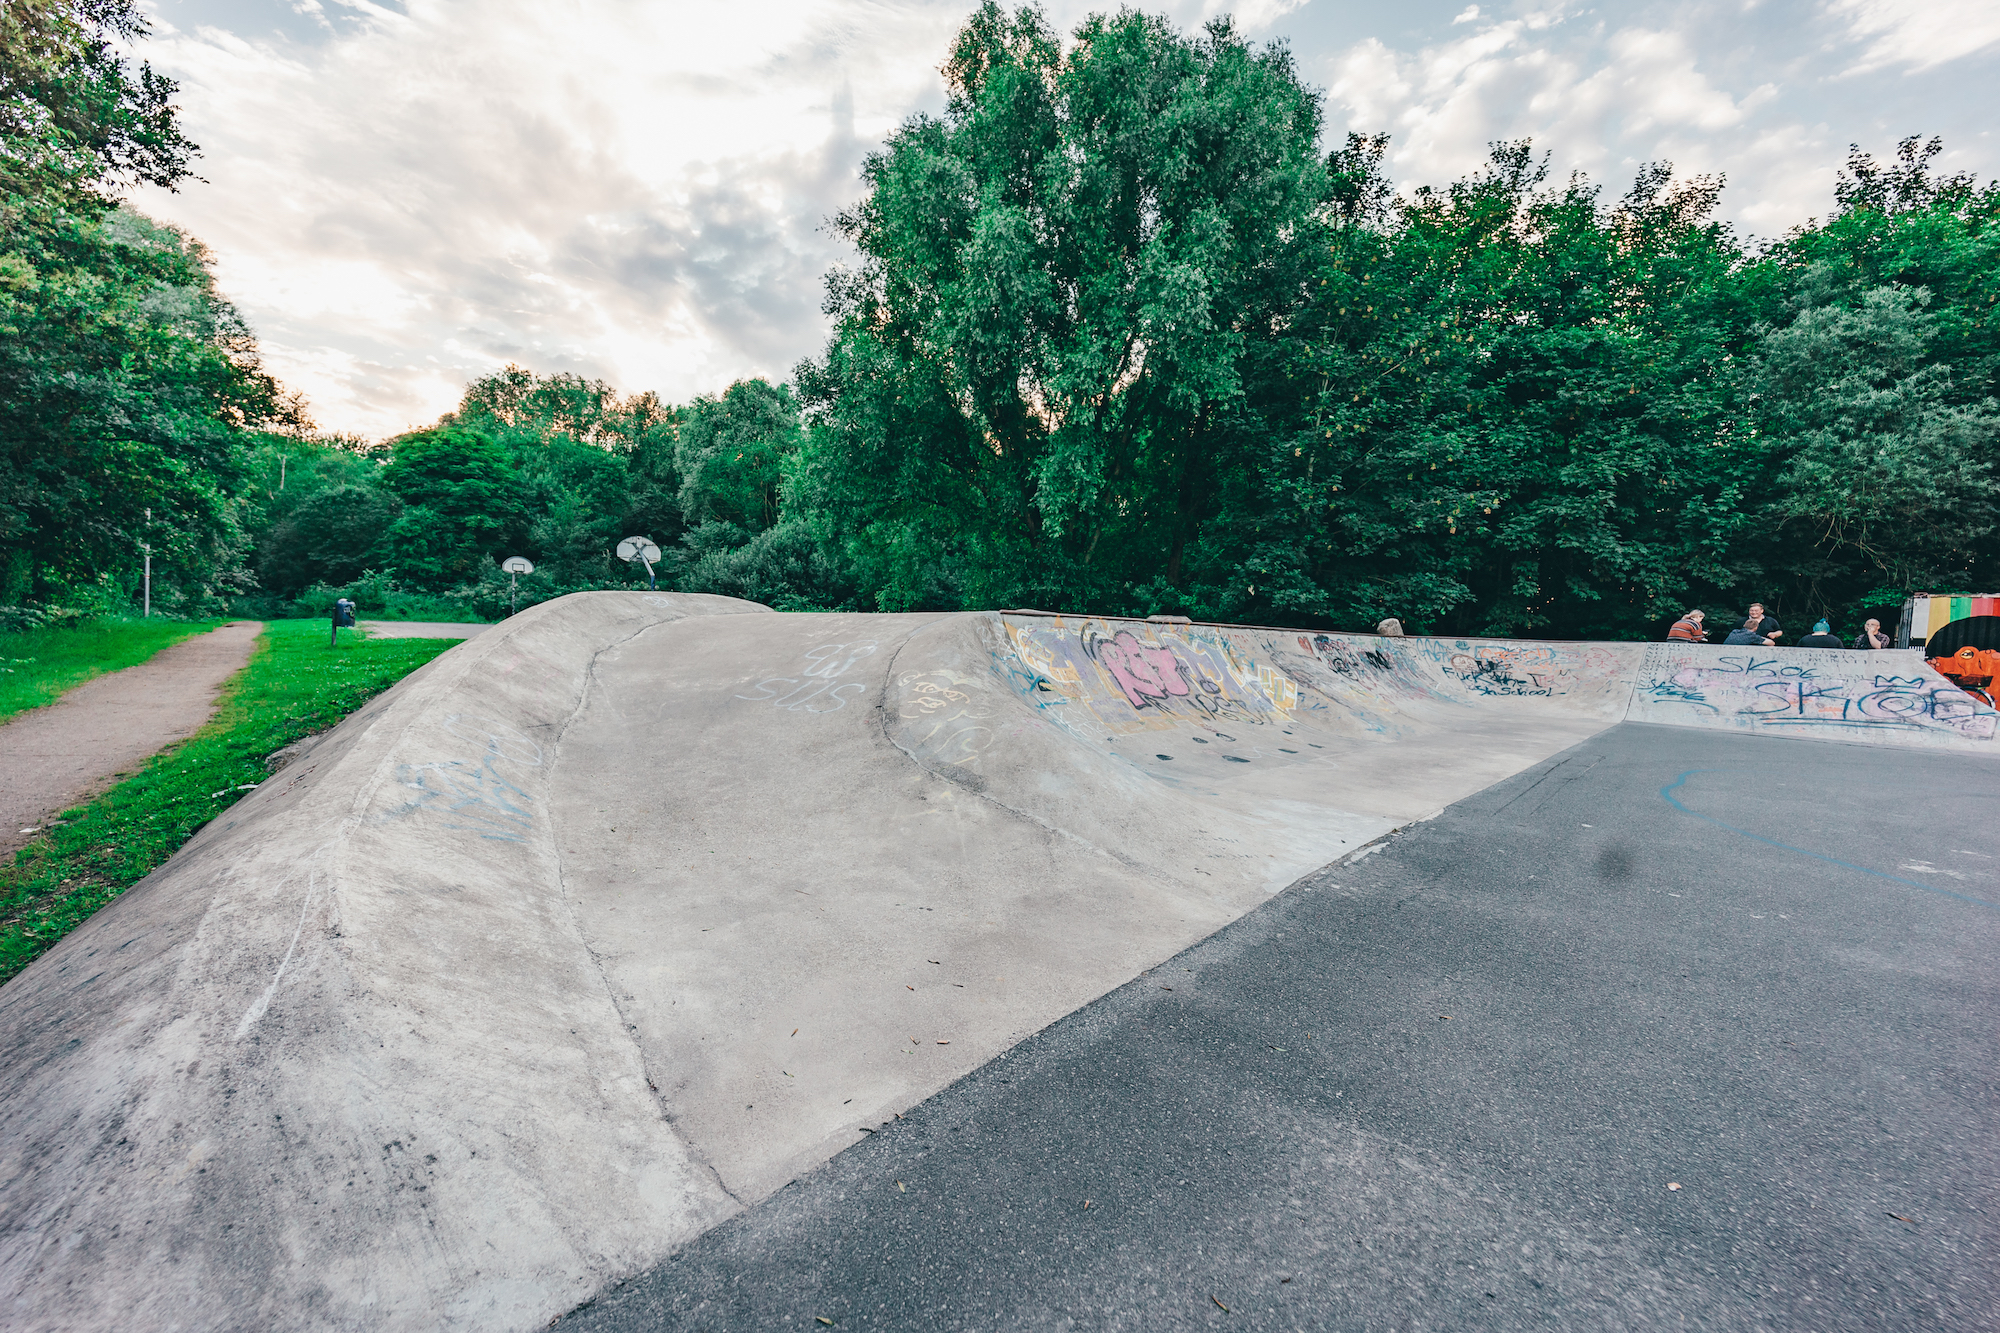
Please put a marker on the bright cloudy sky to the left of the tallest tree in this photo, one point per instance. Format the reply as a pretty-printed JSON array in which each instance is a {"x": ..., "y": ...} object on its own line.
[{"x": 613, "y": 189}]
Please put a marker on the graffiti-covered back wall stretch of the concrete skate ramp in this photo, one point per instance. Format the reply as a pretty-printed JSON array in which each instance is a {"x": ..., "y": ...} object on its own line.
[{"x": 1103, "y": 680}]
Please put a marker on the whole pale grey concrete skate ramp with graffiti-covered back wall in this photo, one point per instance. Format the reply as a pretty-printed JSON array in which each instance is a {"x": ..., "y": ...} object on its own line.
[{"x": 625, "y": 914}]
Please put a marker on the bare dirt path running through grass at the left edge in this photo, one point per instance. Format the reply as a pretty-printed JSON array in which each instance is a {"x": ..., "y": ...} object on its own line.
[{"x": 103, "y": 730}]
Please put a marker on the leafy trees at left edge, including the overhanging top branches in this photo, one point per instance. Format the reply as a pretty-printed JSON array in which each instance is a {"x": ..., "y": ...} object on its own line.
[{"x": 127, "y": 383}]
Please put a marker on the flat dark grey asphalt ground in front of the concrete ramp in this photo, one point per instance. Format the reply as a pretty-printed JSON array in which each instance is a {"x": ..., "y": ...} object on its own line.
[{"x": 1677, "y": 1030}]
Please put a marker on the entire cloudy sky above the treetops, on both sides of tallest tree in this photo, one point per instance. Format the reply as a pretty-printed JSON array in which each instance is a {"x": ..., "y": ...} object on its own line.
[{"x": 403, "y": 195}]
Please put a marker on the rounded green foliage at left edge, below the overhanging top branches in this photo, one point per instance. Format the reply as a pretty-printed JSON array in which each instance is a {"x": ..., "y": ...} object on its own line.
[{"x": 125, "y": 385}]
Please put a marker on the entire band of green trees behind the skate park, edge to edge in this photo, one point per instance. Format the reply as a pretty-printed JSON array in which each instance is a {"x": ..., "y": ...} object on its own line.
[{"x": 1121, "y": 335}]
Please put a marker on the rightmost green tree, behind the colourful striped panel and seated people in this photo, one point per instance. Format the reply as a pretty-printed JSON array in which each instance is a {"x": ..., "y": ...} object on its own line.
[{"x": 1875, "y": 383}]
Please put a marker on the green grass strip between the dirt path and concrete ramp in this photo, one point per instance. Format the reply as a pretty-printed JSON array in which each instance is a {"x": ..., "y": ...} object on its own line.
[{"x": 293, "y": 688}]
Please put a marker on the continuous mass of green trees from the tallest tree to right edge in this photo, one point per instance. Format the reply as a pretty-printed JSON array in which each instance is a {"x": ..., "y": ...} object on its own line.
[{"x": 1121, "y": 343}]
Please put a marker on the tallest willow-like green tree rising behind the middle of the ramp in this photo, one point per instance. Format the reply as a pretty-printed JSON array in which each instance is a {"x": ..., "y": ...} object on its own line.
[{"x": 1045, "y": 371}]
